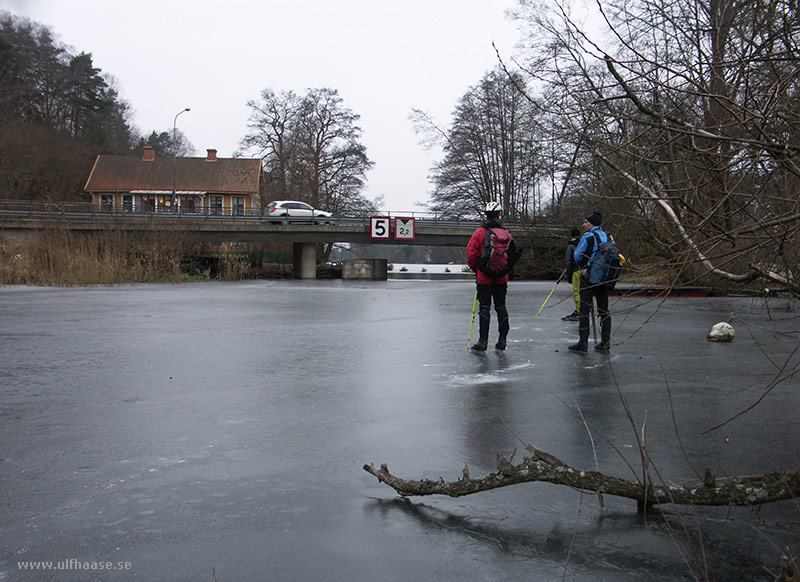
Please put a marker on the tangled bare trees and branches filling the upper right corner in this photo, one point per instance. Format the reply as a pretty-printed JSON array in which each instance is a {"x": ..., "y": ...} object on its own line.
[{"x": 688, "y": 122}]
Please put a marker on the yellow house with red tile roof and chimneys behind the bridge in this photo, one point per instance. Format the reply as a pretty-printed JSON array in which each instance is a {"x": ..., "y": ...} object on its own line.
[{"x": 209, "y": 185}]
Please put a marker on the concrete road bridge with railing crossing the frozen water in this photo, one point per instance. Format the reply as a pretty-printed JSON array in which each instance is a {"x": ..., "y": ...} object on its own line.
[{"x": 20, "y": 219}]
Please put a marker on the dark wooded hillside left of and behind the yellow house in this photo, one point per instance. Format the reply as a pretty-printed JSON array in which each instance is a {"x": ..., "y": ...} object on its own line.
[{"x": 57, "y": 112}]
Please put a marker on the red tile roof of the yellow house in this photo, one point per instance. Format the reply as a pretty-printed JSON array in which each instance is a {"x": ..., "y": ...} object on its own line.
[{"x": 127, "y": 173}]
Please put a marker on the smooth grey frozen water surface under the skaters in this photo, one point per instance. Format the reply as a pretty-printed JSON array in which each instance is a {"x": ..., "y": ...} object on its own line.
[{"x": 217, "y": 431}]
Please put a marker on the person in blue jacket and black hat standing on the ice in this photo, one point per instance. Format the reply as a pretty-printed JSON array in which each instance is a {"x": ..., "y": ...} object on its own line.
[{"x": 584, "y": 254}]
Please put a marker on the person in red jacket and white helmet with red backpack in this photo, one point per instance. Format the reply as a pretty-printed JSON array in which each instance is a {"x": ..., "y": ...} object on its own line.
[{"x": 491, "y": 253}]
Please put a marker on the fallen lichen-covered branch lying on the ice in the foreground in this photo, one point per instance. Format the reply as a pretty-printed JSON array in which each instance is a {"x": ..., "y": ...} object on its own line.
[{"x": 544, "y": 467}]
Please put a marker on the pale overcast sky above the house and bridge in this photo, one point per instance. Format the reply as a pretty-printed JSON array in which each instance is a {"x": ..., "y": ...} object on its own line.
[{"x": 384, "y": 58}]
